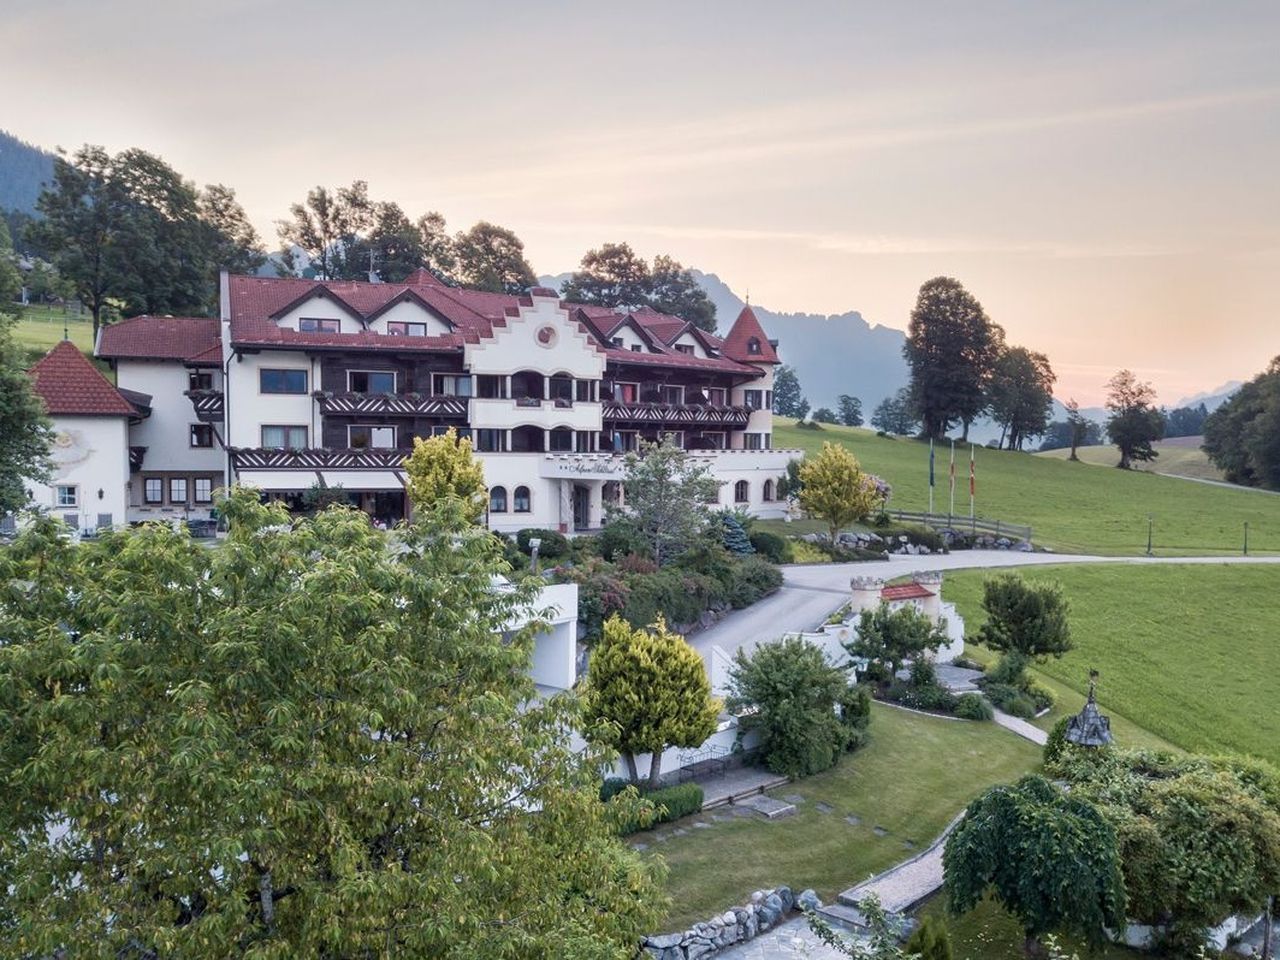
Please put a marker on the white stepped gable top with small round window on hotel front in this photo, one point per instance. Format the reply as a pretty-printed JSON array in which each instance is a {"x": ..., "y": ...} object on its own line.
[{"x": 542, "y": 339}]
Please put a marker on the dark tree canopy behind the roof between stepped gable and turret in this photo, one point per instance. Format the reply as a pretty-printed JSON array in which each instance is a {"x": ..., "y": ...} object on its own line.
[{"x": 615, "y": 276}]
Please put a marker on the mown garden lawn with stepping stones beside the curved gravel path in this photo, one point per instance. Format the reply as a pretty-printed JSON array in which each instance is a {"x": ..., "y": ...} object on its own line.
[{"x": 911, "y": 780}]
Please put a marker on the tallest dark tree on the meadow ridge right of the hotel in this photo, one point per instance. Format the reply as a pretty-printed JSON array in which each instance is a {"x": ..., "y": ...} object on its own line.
[{"x": 952, "y": 348}]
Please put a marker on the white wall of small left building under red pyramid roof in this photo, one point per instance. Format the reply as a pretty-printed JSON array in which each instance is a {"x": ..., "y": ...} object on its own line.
[{"x": 90, "y": 454}]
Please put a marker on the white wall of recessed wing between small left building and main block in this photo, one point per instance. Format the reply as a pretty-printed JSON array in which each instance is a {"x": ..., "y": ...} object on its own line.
[{"x": 167, "y": 433}]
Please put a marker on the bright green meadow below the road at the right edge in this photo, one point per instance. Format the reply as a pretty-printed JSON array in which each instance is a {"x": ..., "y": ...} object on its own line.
[{"x": 1187, "y": 652}]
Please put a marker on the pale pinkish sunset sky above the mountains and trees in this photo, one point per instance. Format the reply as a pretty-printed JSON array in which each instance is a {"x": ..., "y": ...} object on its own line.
[{"x": 1104, "y": 177}]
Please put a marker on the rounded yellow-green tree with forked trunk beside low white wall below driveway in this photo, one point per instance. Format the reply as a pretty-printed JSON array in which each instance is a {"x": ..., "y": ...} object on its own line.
[{"x": 647, "y": 691}]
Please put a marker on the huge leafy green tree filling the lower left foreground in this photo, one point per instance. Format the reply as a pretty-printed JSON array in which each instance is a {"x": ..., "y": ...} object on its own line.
[{"x": 300, "y": 744}]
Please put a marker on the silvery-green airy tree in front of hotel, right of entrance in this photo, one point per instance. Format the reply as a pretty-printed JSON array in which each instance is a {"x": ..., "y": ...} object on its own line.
[{"x": 668, "y": 497}]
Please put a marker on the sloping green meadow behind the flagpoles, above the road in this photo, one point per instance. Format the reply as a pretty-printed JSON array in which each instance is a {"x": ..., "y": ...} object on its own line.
[{"x": 1073, "y": 508}]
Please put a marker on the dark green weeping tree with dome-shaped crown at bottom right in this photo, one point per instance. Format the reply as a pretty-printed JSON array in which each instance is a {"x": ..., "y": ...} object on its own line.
[{"x": 1048, "y": 857}]
